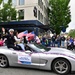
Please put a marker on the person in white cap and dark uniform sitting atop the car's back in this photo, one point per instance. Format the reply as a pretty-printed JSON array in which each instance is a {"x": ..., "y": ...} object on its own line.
[{"x": 11, "y": 40}]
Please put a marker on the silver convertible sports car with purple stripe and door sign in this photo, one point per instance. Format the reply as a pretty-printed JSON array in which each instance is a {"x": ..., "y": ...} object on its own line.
[{"x": 60, "y": 60}]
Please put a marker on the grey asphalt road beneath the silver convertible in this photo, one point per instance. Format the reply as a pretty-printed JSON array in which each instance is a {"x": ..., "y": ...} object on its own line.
[{"x": 25, "y": 71}]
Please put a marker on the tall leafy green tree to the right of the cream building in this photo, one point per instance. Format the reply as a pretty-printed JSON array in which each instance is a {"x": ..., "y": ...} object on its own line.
[{"x": 59, "y": 14}]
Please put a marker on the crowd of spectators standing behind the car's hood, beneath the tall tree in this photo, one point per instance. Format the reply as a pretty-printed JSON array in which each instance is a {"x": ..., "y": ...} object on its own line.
[{"x": 58, "y": 41}]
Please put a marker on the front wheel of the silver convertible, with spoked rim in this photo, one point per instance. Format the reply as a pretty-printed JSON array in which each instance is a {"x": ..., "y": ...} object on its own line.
[{"x": 61, "y": 66}]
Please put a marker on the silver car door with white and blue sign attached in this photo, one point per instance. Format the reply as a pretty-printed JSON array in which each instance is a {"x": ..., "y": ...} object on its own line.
[{"x": 25, "y": 59}]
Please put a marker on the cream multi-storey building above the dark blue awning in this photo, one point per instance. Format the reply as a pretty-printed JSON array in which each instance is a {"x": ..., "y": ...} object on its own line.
[{"x": 32, "y": 10}]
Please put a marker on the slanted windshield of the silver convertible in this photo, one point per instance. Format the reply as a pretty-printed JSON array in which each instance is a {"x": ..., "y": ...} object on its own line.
[{"x": 39, "y": 47}]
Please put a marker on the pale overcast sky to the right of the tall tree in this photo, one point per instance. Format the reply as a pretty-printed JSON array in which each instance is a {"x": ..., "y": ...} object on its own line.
[{"x": 72, "y": 9}]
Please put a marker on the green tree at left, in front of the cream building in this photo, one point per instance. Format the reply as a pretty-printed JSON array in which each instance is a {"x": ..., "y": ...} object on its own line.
[{"x": 8, "y": 13}]
